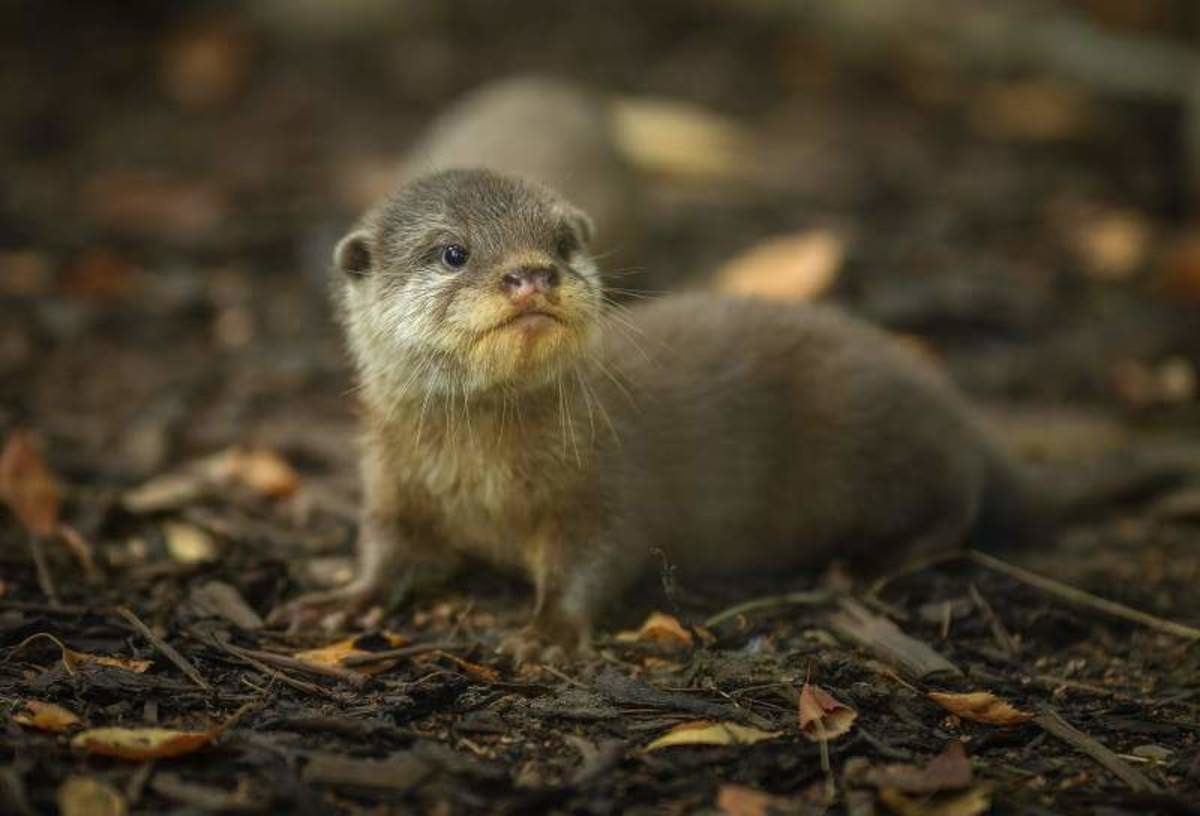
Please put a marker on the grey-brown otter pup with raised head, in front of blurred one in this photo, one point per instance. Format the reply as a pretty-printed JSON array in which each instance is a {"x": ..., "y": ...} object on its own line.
[{"x": 512, "y": 413}]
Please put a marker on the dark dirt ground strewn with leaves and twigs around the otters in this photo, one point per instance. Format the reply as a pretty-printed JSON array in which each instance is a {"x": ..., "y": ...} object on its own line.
[{"x": 173, "y": 183}]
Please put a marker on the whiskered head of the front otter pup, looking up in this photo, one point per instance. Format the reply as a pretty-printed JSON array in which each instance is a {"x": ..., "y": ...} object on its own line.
[{"x": 470, "y": 281}]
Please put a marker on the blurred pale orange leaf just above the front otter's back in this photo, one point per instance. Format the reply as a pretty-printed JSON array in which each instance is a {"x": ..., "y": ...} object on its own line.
[{"x": 791, "y": 268}]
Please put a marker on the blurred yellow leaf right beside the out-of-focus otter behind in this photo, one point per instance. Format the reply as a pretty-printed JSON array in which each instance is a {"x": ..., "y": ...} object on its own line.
[{"x": 681, "y": 140}]
